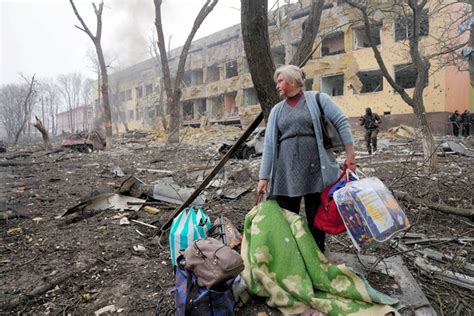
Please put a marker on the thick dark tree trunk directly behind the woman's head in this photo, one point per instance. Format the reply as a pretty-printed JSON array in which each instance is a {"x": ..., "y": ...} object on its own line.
[{"x": 257, "y": 49}]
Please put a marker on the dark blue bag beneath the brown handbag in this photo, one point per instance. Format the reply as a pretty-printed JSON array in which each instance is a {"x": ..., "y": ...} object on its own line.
[{"x": 191, "y": 299}]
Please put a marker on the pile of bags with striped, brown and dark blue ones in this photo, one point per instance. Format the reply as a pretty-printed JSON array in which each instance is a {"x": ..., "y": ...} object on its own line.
[{"x": 207, "y": 268}]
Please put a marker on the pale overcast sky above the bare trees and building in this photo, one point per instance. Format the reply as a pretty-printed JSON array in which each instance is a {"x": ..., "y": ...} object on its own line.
[{"x": 38, "y": 36}]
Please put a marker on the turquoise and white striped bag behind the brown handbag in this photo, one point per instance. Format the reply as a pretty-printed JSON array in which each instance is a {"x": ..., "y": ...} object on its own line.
[{"x": 188, "y": 226}]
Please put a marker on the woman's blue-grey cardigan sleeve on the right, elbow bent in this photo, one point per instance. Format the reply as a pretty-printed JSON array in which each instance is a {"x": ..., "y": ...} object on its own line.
[{"x": 340, "y": 121}]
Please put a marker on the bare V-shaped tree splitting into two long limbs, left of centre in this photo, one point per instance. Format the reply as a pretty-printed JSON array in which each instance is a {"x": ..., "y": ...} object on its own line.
[{"x": 173, "y": 93}]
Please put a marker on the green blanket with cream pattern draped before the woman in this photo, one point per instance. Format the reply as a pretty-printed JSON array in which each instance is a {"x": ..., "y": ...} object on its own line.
[{"x": 284, "y": 264}]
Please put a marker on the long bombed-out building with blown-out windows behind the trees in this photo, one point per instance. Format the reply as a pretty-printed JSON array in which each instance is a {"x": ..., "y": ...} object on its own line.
[{"x": 217, "y": 84}]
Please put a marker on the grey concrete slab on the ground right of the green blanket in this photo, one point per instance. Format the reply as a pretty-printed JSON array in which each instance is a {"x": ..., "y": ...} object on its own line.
[{"x": 411, "y": 296}]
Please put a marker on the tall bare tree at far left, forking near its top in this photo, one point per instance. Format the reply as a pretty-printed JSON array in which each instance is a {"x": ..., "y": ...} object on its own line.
[{"x": 103, "y": 69}]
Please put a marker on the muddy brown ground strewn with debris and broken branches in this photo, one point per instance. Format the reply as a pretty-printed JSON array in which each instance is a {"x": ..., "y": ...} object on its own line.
[{"x": 85, "y": 261}]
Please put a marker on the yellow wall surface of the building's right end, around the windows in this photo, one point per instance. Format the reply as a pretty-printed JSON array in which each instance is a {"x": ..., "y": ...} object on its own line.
[{"x": 444, "y": 84}]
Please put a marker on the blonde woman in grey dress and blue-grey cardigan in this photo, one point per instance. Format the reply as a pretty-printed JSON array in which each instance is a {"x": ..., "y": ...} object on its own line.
[{"x": 295, "y": 163}]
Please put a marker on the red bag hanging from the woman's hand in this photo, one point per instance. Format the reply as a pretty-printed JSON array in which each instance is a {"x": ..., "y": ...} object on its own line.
[{"x": 327, "y": 217}]
